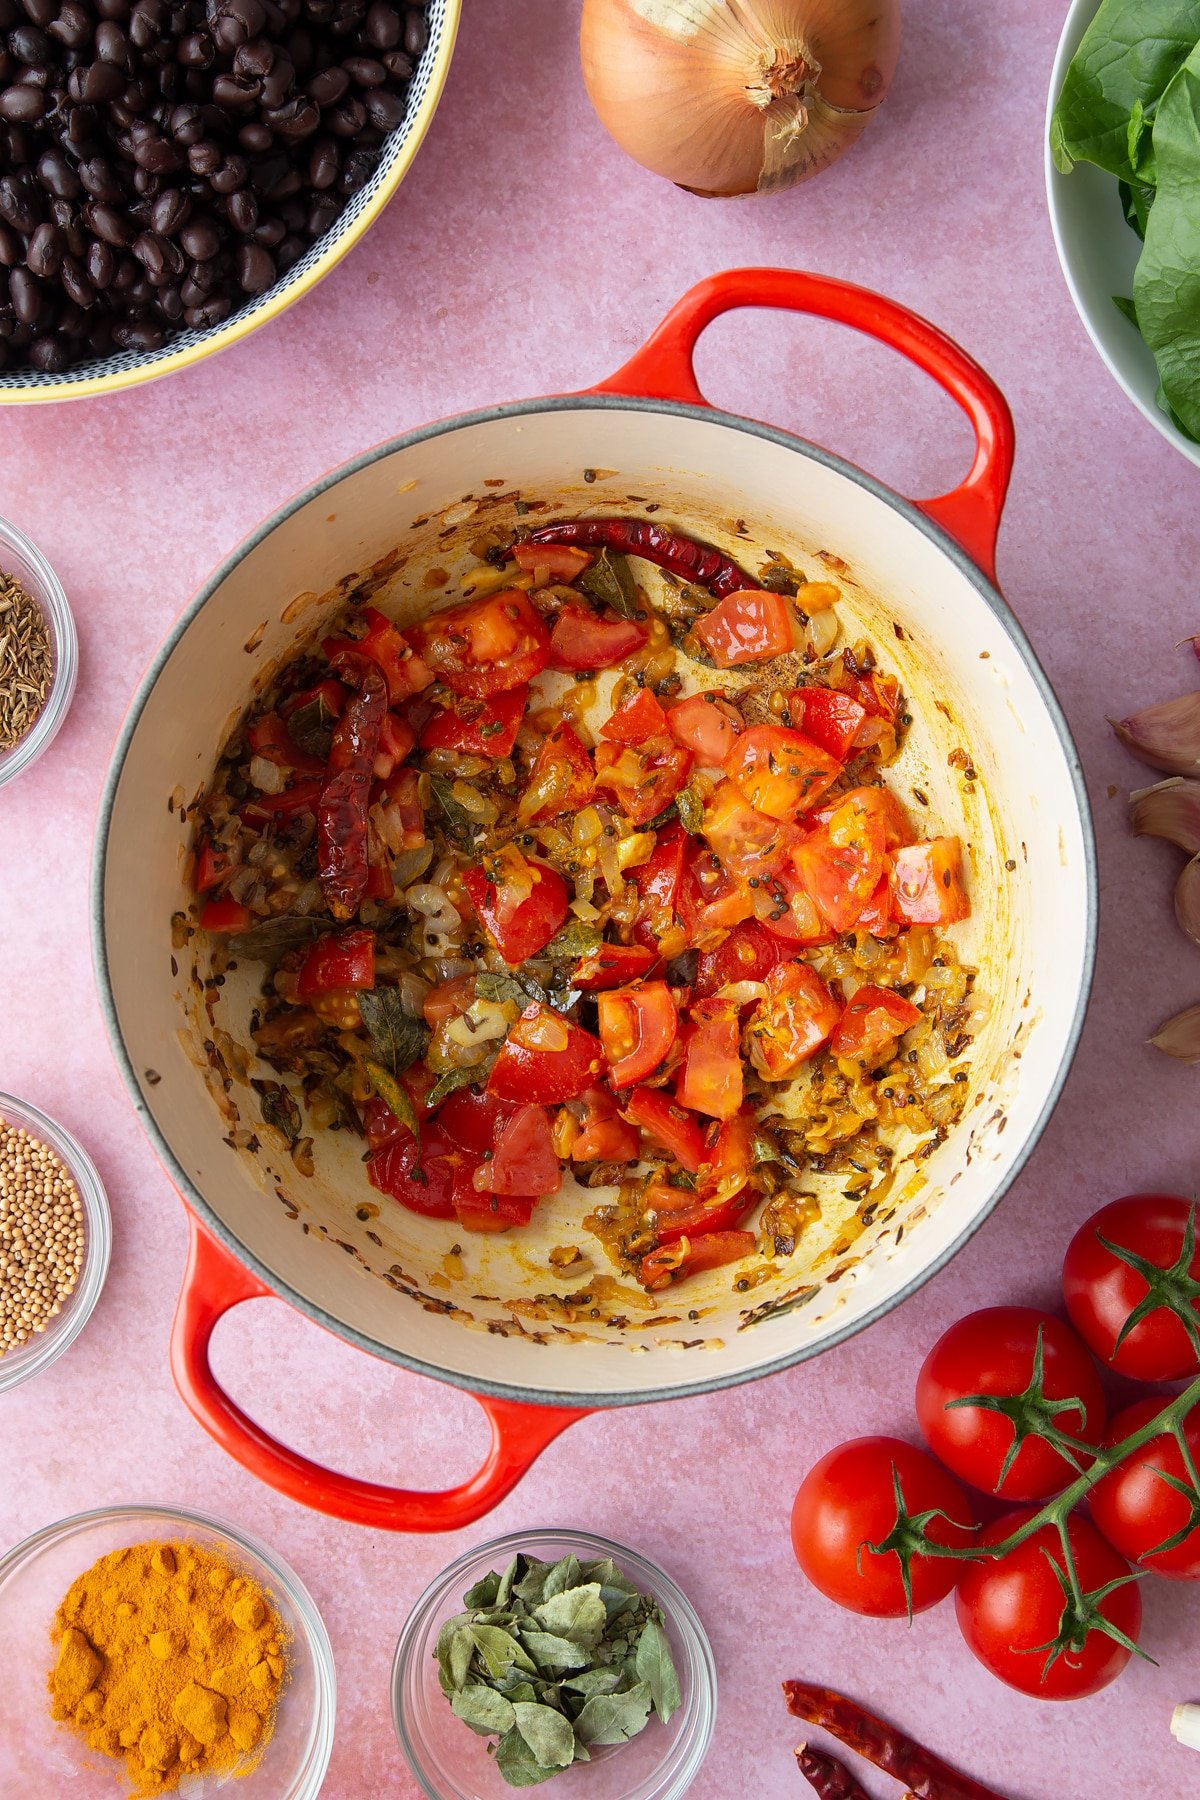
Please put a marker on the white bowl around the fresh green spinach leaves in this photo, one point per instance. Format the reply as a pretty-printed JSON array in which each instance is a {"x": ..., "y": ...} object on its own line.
[{"x": 1098, "y": 253}]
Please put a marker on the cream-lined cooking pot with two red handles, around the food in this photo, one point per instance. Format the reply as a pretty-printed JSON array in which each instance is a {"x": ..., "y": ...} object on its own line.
[{"x": 418, "y": 501}]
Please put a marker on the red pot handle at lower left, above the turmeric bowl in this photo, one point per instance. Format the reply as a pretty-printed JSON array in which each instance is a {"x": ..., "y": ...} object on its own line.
[{"x": 215, "y": 1282}]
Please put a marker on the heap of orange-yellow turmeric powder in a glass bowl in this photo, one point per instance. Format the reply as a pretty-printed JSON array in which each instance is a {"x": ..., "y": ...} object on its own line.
[{"x": 170, "y": 1659}]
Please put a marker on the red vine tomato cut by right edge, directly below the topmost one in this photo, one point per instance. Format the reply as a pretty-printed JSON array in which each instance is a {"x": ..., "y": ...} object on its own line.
[{"x": 1138, "y": 1509}]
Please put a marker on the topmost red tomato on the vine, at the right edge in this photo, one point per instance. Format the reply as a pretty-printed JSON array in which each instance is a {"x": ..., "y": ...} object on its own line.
[{"x": 1102, "y": 1290}]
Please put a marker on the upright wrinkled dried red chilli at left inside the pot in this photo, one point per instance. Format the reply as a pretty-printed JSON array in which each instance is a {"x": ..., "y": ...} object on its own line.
[{"x": 346, "y": 796}]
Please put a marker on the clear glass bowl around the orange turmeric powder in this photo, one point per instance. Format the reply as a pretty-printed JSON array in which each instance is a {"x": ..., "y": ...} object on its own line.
[{"x": 42, "y": 1758}]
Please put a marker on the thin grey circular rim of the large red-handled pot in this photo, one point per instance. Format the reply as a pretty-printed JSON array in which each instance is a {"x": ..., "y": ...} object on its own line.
[{"x": 508, "y": 413}]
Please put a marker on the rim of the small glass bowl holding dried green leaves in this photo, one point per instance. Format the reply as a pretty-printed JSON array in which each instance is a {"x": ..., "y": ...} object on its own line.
[{"x": 573, "y": 1540}]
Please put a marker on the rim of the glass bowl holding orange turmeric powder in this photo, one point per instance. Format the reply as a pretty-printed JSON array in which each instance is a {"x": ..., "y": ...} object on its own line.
[{"x": 316, "y": 1635}]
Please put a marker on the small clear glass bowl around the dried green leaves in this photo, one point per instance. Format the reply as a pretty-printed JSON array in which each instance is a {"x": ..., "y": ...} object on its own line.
[{"x": 452, "y": 1763}]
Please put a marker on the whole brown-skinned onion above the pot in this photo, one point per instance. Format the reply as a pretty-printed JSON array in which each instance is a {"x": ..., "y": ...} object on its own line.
[{"x": 739, "y": 96}]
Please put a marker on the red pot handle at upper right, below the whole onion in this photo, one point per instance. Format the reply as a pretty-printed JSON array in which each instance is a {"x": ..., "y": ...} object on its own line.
[{"x": 663, "y": 370}]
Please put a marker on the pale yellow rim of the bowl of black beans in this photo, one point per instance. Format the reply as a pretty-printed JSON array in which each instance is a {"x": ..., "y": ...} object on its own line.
[{"x": 247, "y": 319}]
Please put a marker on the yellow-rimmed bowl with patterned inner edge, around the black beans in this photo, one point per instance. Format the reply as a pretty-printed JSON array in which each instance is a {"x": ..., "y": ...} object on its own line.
[{"x": 107, "y": 375}]
